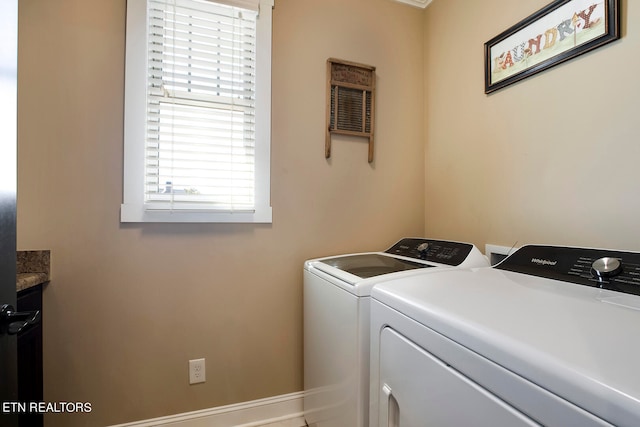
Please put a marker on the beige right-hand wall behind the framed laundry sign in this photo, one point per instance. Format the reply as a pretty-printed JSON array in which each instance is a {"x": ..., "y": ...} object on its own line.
[{"x": 552, "y": 159}]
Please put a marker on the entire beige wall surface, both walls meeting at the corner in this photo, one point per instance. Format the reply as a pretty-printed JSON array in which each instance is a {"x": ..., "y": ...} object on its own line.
[{"x": 550, "y": 159}]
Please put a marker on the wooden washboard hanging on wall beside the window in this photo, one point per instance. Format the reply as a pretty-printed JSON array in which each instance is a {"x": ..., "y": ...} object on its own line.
[{"x": 350, "y": 101}]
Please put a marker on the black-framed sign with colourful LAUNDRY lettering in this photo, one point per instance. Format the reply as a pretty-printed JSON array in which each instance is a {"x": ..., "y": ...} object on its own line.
[{"x": 556, "y": 33}]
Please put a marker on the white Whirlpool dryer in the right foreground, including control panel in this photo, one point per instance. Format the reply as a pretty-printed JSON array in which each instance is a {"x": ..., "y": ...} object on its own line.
[{"x": 547, "y": 337}]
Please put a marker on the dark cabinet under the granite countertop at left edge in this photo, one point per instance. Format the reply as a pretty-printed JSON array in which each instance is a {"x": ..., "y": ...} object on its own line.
[{"x": 30, "y": 358}]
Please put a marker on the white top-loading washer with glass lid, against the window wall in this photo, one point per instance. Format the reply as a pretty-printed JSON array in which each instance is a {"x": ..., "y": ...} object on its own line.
[{"x": 336, "y": 321}]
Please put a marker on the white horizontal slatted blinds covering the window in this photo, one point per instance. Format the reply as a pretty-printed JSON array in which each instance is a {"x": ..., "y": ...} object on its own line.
[{"x": 200, "y": 129}]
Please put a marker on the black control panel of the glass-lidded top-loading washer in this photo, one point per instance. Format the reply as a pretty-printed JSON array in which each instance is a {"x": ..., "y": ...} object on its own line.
[{"x": 440, "y": 251}]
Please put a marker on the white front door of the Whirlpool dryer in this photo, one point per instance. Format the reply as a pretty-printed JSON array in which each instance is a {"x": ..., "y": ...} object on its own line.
[{"x": 418, "y": 390}]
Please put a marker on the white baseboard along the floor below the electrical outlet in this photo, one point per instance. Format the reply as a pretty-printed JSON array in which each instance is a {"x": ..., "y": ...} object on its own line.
[{"x": 247, "y": 414}]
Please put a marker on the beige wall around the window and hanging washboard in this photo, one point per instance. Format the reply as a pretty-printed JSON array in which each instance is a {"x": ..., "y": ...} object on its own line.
[{"x": 129, "y": 305}]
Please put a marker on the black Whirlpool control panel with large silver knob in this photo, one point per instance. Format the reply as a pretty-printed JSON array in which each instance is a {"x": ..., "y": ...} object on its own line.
[{"x": 613, "y": 270}]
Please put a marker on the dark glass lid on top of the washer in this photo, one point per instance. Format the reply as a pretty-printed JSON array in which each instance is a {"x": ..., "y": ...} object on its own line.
[{"x": 372, "y": 264}]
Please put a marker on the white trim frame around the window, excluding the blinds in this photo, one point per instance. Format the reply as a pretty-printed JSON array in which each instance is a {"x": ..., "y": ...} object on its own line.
[{"x": 132, "y": 208}]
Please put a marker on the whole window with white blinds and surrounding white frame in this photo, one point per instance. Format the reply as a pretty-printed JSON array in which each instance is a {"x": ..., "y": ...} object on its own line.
[{"x": 197, "y": 111}]
